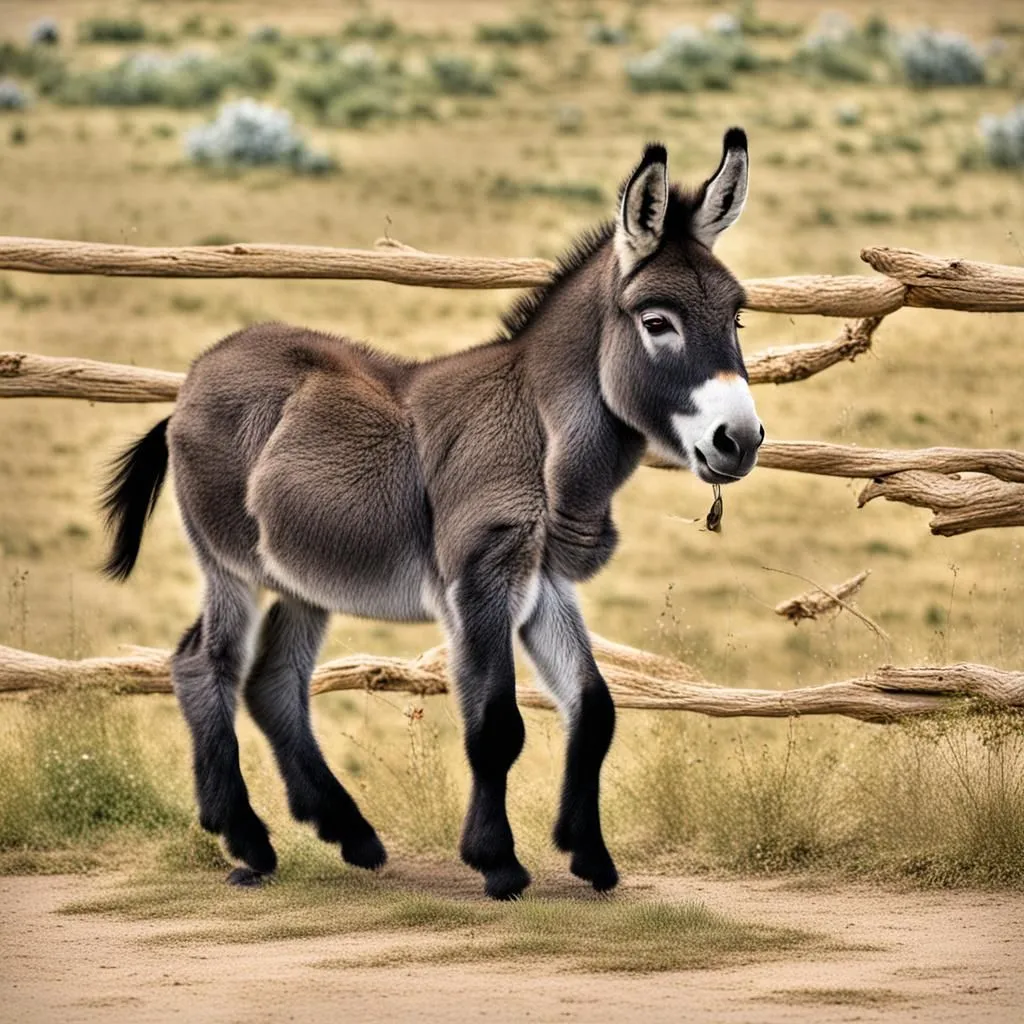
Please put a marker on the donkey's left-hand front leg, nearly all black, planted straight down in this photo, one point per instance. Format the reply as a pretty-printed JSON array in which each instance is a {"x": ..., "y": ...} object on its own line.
[{"x": 481, "y": 638}]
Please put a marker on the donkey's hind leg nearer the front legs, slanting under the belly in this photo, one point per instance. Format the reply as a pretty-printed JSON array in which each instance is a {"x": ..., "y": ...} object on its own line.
[{"x": 278, "y": 697}]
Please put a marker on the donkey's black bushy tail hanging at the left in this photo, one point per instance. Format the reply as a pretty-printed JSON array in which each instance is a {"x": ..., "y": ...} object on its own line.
[{"x": 131, "y": 496}]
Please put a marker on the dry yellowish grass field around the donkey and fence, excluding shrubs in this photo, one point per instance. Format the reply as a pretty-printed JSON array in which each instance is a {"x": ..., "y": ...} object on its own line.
[{"x": 836, "y": 165}]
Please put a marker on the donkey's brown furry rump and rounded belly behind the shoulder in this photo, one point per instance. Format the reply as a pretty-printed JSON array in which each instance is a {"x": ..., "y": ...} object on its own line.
[{"x": 295, "y": 468}]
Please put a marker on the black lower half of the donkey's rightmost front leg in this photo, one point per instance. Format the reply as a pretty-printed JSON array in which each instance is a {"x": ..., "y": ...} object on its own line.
[{"x": 579, "y": 827}]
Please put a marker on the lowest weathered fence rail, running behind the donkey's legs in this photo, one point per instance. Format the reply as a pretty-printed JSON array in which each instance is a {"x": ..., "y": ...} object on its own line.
[{"x": 636, "y": 678}]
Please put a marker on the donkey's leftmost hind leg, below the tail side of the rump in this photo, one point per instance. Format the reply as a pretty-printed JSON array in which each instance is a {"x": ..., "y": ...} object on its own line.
[{"x": 207, "y": 669}]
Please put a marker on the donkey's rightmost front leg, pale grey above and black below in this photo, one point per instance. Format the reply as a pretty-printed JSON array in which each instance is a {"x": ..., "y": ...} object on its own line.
[{"x": 559, "y": 645}]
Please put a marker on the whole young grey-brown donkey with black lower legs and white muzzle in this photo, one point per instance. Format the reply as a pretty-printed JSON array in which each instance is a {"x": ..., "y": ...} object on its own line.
[{"x": 474, "y": 490}]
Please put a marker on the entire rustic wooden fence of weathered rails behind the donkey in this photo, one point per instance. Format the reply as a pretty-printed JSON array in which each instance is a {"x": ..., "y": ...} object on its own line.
[{"x": 966, "y": 489}]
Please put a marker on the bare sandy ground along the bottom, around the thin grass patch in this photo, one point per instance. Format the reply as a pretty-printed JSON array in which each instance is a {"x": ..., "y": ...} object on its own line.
[{"x": 934, "y": 957}]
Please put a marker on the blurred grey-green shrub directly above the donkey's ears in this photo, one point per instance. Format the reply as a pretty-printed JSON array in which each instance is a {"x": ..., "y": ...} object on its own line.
[{"x": 689, "y": 60}]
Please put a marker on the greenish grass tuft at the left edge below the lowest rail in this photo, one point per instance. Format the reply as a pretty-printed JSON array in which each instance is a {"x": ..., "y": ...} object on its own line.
[{"x": 74, "y": 772}]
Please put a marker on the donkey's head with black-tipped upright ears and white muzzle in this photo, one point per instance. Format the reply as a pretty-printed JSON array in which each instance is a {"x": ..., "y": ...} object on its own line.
[{"x": 671, "y": 365}]
